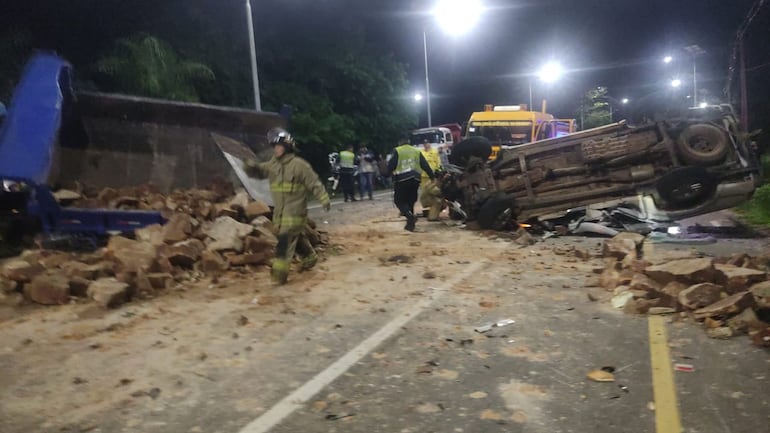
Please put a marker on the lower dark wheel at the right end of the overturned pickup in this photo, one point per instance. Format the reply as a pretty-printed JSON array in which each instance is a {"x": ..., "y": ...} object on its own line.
[{"x": 686, "y": 187}]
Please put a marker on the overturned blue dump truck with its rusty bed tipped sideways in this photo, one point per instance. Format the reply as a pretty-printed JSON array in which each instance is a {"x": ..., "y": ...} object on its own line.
[{"x": 54, "y": 135}]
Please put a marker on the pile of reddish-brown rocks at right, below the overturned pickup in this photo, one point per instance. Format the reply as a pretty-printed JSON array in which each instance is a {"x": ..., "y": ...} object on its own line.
[{"x": 730, "y": 295}]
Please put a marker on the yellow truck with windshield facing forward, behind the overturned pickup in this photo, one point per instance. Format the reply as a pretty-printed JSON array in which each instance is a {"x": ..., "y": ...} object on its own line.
[{"x": 513, "y": 125}]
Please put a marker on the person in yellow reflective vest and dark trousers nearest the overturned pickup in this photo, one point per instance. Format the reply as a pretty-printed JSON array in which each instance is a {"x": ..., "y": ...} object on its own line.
[{"x": 407, "y": 163}]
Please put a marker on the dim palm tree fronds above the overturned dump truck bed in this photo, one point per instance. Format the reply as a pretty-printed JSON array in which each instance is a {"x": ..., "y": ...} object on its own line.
[{"x": 145, "y": 65}]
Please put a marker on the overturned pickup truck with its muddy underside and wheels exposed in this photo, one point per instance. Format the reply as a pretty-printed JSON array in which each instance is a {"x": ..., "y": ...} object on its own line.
[{"x": 677, "y": 168}]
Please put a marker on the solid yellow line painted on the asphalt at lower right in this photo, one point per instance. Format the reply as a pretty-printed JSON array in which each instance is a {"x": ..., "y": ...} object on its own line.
[{"x": 667, "y": 419}]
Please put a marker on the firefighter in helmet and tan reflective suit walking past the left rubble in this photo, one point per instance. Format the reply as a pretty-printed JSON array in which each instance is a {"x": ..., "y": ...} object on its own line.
[{"x": 291, "y": 177}]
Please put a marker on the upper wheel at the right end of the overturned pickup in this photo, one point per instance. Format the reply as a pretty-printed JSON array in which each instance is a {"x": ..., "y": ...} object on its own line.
[{"x": 702, "y": 144}]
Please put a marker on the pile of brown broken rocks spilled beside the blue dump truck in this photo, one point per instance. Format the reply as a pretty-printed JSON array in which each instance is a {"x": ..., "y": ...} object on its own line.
[{"x": 208, "y": 232}]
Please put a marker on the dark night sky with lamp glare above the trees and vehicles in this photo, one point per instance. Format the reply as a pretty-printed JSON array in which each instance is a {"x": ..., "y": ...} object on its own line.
[{"x": 615, "y": 43}]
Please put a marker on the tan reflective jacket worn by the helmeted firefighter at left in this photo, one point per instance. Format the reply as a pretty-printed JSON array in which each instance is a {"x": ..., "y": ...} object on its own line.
[{"x": 291, "y": 181}]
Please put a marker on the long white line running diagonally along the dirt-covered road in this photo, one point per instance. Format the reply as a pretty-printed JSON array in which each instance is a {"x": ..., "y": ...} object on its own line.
[{"x": 303, "y": 394}]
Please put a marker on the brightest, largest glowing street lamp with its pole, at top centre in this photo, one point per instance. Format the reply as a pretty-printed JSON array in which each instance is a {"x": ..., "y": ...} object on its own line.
[{"x": 455, "y": 17}]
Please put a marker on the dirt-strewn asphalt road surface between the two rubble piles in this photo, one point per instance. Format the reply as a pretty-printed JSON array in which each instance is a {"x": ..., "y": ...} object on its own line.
[{"x": 379, "y": 337}]
